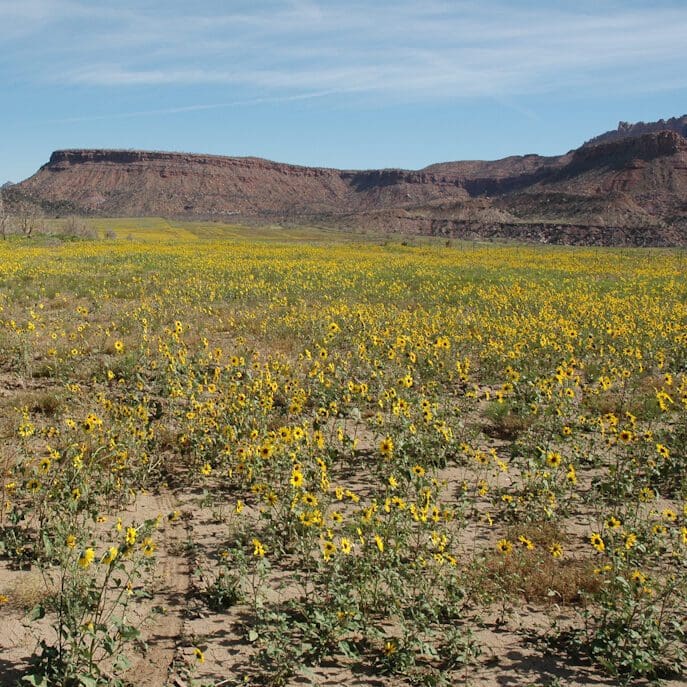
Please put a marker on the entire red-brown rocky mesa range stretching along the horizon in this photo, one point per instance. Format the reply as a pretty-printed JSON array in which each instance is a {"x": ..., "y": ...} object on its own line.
[{"x": 628, "y": 186}]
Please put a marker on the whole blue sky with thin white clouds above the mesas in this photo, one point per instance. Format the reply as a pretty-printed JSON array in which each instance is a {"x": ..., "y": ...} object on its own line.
[{"x": 350, "y": 84}]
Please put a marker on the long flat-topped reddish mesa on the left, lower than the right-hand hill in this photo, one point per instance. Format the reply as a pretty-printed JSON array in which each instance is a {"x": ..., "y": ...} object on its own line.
[{"x": 123, "y": 182}]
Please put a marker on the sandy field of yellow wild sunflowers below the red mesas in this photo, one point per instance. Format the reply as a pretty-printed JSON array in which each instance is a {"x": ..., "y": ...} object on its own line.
[{"x": 309, "y": 459}]
